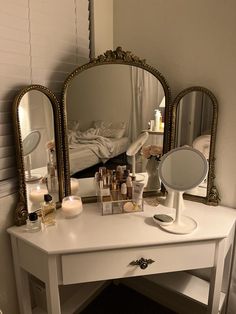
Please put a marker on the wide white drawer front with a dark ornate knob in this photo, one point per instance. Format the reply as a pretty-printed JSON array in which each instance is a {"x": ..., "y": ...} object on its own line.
[{"x": 120, "y": 263}]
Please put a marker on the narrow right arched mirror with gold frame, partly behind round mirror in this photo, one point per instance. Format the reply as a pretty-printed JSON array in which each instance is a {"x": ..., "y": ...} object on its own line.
[{"x": 194, "y": 123}]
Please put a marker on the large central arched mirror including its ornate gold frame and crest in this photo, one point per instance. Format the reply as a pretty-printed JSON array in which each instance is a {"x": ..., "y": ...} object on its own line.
[{"x": 107, "y": 103}]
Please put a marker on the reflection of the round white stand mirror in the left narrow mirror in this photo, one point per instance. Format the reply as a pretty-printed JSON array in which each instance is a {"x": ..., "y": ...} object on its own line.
[{"x": 29, "y": 144}]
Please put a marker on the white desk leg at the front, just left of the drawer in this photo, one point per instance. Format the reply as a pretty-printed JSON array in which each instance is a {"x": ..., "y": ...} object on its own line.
[{"x": 52, "y": 288}]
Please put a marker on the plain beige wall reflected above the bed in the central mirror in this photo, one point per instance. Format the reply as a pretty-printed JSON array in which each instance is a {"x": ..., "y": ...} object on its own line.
[{"x": 100, "y": 93}]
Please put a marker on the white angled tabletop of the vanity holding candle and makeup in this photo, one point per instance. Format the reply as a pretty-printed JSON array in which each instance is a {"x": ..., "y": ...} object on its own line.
[{"x": 91, "y": 231}]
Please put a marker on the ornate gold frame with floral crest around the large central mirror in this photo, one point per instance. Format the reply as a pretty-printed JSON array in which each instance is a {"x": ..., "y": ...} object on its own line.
[{"x": 118, "y": 56}]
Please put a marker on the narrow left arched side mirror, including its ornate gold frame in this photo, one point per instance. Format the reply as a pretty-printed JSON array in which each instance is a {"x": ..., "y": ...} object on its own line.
[{"x": 37, "y": 126}]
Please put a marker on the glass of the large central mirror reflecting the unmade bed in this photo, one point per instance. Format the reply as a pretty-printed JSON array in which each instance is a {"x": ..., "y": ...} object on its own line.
[{"x": 108, "y": 107}]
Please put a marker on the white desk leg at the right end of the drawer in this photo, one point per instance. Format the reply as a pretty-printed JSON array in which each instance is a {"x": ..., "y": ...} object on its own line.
[{"x": 216, "y": 279}]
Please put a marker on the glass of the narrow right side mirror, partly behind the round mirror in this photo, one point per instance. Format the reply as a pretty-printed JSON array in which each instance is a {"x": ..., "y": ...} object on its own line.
[{"x": 193, "y": 127}]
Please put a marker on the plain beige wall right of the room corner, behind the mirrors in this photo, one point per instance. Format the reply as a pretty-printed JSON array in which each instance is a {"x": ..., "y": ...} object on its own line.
[{"x": 191, "y": 43}]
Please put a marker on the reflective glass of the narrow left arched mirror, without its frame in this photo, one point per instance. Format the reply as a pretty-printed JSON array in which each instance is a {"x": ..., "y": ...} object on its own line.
[{"x": 37, "y": 132}]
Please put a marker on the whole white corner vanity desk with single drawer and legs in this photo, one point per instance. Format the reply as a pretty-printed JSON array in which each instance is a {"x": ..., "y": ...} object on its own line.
[{"x": 93, "y": 247}]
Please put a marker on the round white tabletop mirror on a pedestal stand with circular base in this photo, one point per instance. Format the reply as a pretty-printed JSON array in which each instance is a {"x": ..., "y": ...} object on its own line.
[{"x": 182, "y": 169}]
